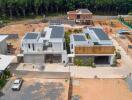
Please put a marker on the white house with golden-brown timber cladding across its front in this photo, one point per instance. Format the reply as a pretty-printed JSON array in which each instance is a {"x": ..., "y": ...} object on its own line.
[{"x": 93, "y": 42}]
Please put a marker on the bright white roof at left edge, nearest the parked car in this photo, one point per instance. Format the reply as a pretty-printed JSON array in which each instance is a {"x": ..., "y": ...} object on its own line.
[{"x": 5, "y": 60}]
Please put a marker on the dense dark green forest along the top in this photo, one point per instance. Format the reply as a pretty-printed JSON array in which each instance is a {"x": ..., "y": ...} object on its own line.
[{"x": 16, "y": 8}]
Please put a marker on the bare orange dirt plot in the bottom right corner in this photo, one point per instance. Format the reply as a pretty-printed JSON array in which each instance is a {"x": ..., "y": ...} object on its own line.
[{"x": 102, "y": 89}]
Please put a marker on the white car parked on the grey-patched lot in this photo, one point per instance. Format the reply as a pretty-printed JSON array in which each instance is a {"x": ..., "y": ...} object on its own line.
[{"x": 17, "y": 84}]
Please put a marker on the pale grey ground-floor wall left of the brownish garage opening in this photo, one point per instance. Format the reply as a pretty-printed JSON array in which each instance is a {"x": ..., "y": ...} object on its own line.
[{"x": 33, "y": 58}]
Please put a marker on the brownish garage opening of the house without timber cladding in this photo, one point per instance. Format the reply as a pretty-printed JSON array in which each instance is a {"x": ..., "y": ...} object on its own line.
[{"x": 53, "y": 58}]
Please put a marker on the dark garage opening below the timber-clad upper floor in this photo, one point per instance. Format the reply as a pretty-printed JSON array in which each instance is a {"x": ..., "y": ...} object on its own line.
[{"x": 101, "y": 60}]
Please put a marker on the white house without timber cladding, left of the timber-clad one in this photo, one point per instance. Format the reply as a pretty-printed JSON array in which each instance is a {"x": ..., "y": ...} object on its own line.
[{"x": 47, "y": 46}]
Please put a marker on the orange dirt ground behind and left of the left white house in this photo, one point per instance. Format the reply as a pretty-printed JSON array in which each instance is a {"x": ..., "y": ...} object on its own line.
[{"x": 21, "y": 29}]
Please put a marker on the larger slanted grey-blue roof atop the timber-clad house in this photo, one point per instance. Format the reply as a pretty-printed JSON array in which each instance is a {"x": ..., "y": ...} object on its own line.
[{"x": 100, "y": 33}]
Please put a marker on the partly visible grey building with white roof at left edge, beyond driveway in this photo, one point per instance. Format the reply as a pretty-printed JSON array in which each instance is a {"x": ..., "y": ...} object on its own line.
[{"x": 3, "y": 44}]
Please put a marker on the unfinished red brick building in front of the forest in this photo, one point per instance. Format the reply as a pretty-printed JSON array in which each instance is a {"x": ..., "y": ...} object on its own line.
[{"x": 82, "y": 16}]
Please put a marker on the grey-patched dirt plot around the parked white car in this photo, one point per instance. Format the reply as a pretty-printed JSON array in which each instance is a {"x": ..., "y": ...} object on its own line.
[{"x": 39, "y": 89}]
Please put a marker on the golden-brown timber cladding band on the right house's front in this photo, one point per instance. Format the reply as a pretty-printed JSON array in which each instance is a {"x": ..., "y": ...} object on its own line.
[{"x": 94, "y": 50}]
